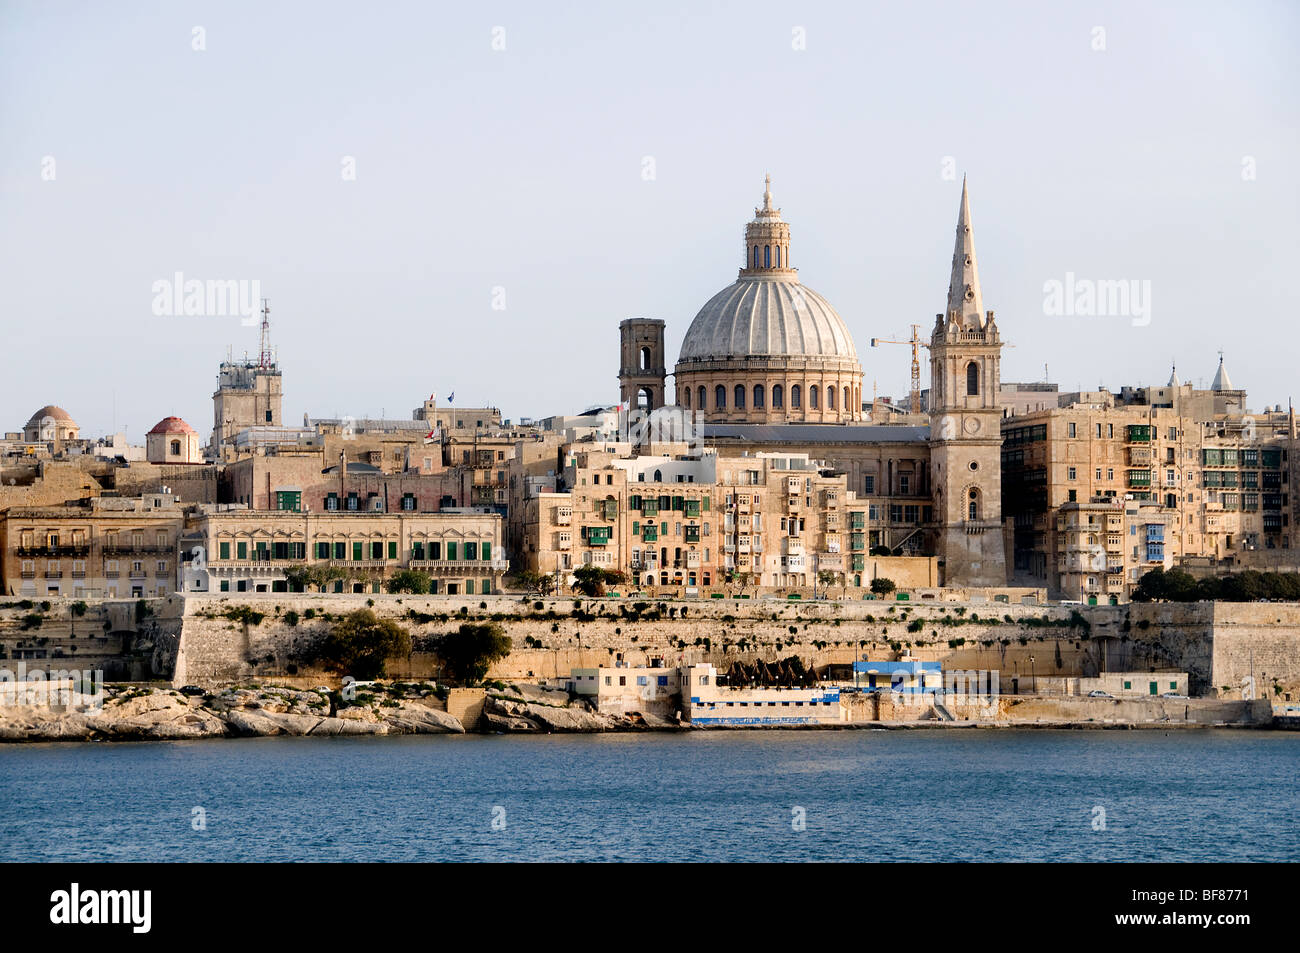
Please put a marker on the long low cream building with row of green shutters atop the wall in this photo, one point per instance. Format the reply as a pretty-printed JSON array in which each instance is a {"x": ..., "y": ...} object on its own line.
[{"x": 232, "y": 549}]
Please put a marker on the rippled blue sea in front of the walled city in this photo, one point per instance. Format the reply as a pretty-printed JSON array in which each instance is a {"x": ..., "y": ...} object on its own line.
[{"x": 768, "y": 795}]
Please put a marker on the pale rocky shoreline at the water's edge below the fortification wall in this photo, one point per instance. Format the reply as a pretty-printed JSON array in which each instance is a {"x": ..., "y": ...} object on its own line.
[{"x": 155, "y": 714}]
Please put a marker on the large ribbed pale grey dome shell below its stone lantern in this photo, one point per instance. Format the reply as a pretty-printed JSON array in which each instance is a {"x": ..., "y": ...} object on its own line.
[{"x": 762, "y": 317}]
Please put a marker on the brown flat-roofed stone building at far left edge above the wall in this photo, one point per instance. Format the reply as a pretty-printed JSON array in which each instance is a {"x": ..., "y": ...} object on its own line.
[{"x": 103, "y": 548}]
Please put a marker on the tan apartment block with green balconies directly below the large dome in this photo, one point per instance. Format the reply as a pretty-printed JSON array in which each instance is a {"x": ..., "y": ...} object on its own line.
[{"x": 772, "y": 521}]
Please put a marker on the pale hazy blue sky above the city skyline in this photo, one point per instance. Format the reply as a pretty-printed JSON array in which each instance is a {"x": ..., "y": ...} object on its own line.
[{"x": 470, "y": 198}]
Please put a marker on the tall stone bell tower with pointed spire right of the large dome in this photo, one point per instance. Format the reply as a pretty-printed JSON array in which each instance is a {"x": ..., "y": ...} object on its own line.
[{"x": 965, "y": 426}]
